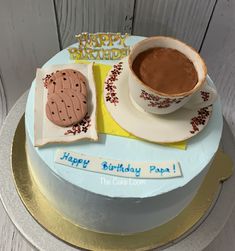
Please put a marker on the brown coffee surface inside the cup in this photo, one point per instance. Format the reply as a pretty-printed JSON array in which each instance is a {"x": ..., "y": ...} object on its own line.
[{"x": 165, "y": 70}]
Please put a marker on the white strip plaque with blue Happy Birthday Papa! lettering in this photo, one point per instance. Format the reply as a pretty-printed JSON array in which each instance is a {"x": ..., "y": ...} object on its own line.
[{"x": 129, "y": 169}]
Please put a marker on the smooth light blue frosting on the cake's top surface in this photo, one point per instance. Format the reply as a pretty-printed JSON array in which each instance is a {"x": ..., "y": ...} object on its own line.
[{"x": 199, "y": 153}]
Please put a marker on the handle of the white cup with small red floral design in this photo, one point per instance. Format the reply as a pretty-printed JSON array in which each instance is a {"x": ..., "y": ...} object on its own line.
[{"x": 203, "y": 98}]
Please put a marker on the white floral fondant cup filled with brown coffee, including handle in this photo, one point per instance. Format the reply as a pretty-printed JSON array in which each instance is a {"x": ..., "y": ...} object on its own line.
[{"x": 165, "y": 74}]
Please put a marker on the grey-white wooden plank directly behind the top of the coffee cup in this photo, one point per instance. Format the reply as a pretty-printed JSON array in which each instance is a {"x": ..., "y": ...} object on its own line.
[{"x": 184, "y": 19}]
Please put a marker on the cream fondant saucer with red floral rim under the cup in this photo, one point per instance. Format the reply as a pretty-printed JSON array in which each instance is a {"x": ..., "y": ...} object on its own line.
[{"x": 177, "y": 126}]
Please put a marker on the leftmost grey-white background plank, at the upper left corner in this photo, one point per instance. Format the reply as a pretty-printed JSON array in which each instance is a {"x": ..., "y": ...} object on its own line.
[{"x": 28, "y": 39}]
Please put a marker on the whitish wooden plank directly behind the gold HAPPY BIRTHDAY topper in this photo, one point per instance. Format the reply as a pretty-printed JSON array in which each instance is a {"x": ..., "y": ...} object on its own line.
[{"x": 76, "y": 16}]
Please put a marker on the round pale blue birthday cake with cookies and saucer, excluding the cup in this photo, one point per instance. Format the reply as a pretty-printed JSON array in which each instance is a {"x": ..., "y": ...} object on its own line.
[{"x": 111, "y": 167}]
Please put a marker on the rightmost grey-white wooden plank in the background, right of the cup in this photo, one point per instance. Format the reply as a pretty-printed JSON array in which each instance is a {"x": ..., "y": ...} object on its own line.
[{"x": 219, "y": 53}]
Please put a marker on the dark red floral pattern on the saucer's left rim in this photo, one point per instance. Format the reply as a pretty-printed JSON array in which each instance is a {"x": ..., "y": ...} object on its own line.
[{"x": 111, "y": 95}]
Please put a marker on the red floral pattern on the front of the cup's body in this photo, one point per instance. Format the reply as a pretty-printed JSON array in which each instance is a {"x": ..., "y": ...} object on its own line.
[{"x": 155, "y": 101}]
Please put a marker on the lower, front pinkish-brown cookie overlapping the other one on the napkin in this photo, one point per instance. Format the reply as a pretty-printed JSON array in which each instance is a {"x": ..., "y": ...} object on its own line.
[{"x": 66, "y": 107}]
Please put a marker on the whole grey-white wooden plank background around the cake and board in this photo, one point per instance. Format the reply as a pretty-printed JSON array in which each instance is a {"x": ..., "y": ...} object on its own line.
[{"x": 33, "y": 31}]
